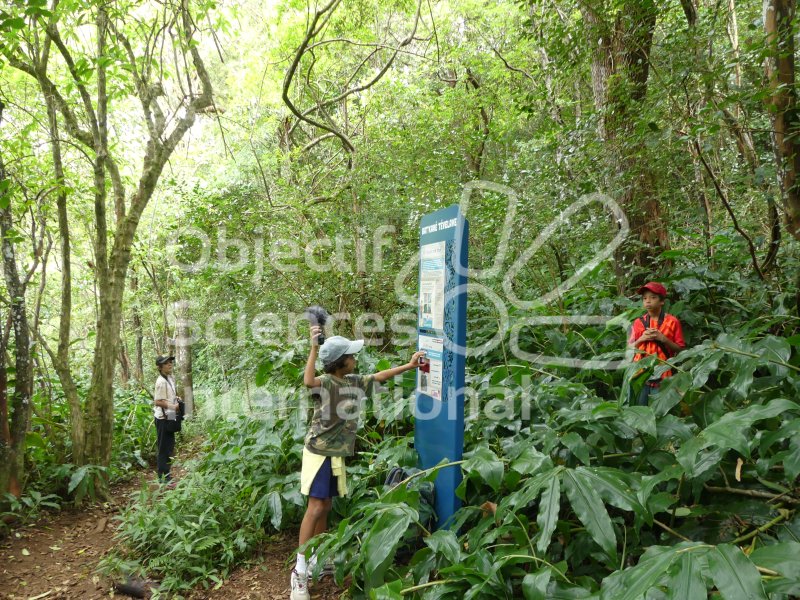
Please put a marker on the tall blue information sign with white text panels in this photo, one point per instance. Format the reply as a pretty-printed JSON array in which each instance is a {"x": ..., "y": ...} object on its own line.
[{"x": 442, "y": 334}]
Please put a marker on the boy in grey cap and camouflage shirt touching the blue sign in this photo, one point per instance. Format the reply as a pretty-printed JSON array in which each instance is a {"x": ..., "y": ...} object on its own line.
[{"x": 337, "y": 396}]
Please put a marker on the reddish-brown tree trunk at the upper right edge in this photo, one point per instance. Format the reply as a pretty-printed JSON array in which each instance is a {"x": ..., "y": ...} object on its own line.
[{"x": 779, "y": 25}]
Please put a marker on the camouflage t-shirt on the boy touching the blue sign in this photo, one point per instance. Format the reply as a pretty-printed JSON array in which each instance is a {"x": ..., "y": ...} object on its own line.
[{"x": 337, "y": 404}]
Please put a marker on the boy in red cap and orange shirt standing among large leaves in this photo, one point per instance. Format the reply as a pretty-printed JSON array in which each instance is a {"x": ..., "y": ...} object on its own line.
[{"x": 655, "y": 332}]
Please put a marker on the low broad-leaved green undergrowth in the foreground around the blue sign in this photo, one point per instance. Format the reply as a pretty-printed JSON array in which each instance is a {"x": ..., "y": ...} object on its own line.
[{"x": 593, "y": 496}]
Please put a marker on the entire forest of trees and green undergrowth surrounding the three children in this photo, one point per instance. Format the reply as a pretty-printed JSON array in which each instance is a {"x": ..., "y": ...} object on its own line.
[{"x": 187, "y": 177}]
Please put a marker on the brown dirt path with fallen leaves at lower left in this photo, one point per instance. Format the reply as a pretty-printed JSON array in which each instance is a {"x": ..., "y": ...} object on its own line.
[{"x": 55, "y": 559}]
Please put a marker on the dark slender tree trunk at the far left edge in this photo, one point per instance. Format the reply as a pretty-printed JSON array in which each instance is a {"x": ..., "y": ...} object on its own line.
[{"x": 12, "y": 450}]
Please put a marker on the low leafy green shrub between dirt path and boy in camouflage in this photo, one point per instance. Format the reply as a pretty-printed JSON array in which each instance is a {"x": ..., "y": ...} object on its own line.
[{"x": 245, "y": 484}]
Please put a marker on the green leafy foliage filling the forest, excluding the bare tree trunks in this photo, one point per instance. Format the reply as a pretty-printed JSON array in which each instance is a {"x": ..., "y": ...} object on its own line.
[{"x": 694, "y": 495}]
